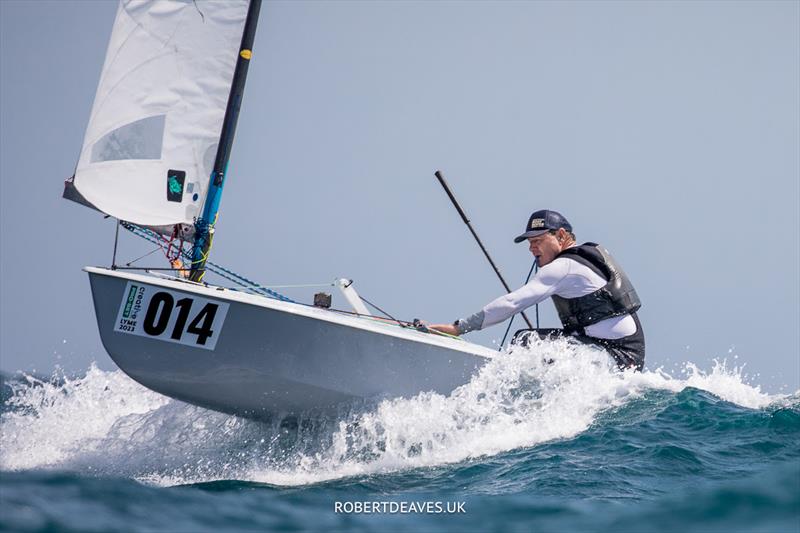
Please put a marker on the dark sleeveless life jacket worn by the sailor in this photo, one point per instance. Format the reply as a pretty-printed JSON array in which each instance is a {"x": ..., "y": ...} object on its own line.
[{"x": 616, "y": 298}]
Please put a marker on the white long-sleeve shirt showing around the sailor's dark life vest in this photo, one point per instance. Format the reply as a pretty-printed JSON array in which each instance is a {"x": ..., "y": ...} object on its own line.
[{"x": 561, "y": 277}]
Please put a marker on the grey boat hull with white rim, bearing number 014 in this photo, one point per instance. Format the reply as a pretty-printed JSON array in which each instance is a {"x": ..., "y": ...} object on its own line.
[{"x": 263, "y": 357}]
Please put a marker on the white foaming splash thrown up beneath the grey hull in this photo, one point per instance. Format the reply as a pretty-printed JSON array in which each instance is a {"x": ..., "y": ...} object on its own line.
[{"x": 106, "y": 424}]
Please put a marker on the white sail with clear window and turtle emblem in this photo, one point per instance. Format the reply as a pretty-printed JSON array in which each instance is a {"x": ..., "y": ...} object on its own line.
[{"x": 152, "y": 137}]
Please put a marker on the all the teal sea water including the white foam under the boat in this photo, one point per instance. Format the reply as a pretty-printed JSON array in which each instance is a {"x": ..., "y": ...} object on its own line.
[{"x": 547, "y": 438}]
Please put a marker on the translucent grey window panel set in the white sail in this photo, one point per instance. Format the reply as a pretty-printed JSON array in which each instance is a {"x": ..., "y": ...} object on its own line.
[{"x": 138, "y": 140}]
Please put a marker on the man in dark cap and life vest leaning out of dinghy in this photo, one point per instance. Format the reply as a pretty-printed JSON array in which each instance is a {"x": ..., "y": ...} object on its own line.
[{"x": 595, "y": 300}]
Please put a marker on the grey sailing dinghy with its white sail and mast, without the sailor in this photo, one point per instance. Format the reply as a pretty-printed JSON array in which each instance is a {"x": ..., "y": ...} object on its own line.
[{"x": 154, "y": 157}]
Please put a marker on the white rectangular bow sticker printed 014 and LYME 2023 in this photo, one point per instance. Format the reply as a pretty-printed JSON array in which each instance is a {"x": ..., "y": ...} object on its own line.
[{"x": 170, "y": 316}]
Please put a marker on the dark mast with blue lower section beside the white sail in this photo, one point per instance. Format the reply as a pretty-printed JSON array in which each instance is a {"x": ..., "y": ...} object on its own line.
[{"x": 204, "y": 226}]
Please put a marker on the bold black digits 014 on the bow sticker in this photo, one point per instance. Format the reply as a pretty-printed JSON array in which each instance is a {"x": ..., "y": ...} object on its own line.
[{"x": 160, "y": 310}]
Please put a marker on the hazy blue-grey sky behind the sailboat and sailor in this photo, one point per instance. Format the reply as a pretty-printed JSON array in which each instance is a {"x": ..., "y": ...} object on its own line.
[{"x": 668, "y": 131}]
